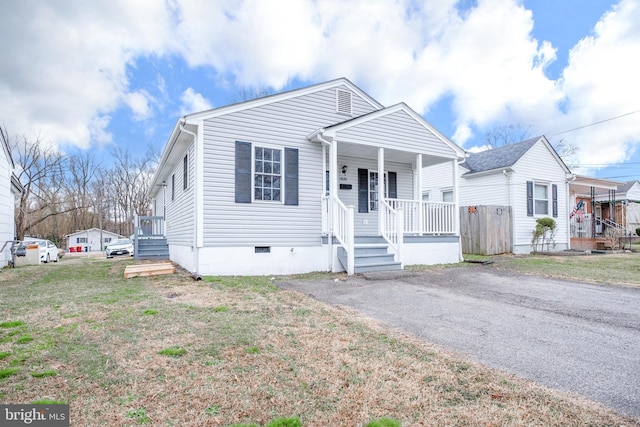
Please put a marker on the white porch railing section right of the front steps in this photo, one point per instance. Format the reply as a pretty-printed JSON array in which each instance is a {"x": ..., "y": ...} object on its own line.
[{"x": 426, "y": 217}]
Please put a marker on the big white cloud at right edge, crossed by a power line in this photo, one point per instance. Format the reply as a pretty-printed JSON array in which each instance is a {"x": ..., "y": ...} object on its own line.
[{"x": 601, "y": 82}]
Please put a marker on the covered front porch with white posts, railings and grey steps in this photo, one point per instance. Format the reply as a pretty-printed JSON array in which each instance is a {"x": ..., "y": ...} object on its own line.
[{"x": 372, "y": 197}]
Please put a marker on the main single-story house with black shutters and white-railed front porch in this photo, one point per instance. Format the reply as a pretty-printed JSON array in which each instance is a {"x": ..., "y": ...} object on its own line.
[{"x": 322, "y": 178}]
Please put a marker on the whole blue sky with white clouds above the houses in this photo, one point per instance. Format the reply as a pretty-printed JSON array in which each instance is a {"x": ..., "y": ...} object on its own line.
[{"x": 104, "y": 73}]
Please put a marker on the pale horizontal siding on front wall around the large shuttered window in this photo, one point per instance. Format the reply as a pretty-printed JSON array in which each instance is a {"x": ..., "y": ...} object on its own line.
[{"x": 286, "y": 123}]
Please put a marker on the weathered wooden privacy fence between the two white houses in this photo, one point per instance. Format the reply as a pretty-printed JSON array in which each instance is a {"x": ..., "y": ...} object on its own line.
[{"x": 486, "y": 230}]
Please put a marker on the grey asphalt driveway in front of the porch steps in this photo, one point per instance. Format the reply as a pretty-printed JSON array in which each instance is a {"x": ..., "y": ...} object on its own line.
[{"x": 566, "y": 335}]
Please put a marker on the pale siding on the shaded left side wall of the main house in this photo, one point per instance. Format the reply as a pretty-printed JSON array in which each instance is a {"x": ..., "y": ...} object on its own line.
[{"x": 180, "y": 220}]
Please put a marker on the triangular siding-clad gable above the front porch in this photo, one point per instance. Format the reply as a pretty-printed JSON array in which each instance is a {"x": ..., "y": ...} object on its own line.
[{"x": 397, "y": 131}]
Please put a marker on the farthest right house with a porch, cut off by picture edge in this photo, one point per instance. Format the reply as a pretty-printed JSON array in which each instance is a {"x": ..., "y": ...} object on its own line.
[{"x": 619, "y": 208}]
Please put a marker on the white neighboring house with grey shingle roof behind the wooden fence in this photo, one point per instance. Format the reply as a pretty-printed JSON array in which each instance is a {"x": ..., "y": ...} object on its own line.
[{"x": 528, "y": 176}]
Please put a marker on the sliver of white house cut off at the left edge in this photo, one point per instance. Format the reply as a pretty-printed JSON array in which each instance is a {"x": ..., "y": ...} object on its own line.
[{"x": 10, "y": 189}]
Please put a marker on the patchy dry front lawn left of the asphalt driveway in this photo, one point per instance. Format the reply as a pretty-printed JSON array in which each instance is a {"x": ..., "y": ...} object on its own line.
[{"x": 253, "y": 353}]
